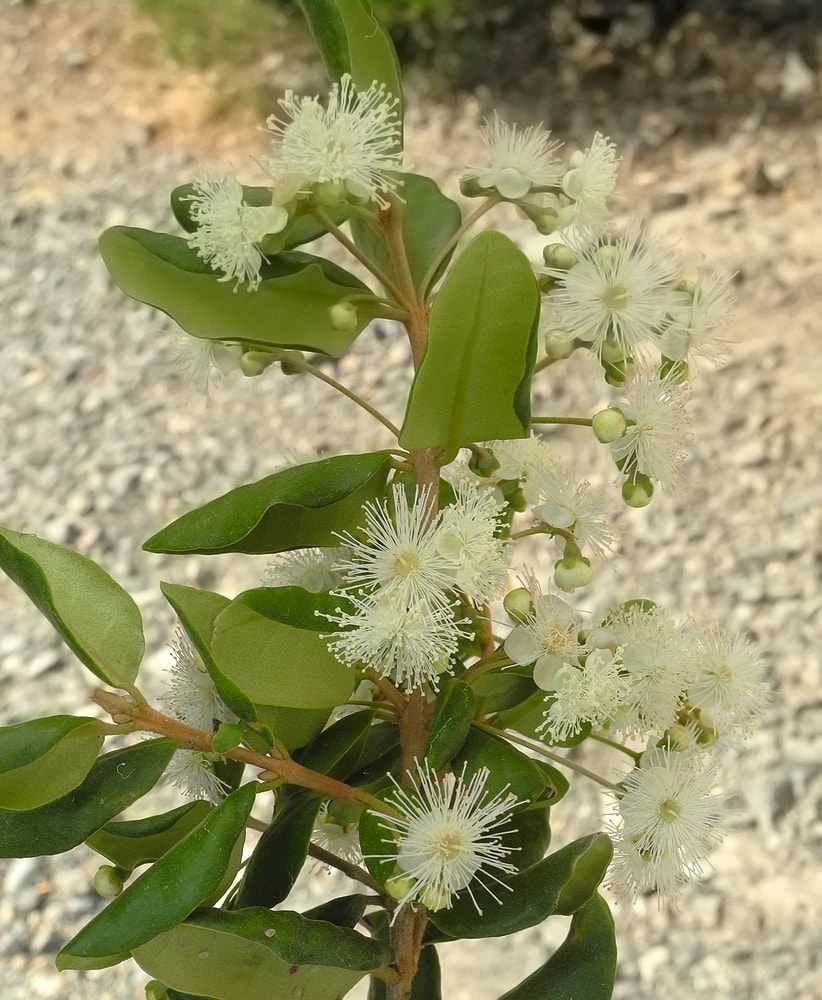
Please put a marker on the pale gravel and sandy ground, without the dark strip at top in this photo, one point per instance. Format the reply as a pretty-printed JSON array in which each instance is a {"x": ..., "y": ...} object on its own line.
[{"x": 102, "y": 443}]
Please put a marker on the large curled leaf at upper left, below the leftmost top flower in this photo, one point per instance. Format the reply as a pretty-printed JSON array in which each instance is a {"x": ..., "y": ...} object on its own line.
[{"x": 289, "y": 309}]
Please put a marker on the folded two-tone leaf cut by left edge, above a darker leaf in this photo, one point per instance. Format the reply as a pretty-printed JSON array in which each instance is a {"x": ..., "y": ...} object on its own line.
[{"x": 44, "y": 759}]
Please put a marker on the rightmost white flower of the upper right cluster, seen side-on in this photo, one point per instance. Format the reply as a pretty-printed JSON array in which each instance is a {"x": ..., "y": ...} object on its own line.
[{"x": 697, "y": 312}]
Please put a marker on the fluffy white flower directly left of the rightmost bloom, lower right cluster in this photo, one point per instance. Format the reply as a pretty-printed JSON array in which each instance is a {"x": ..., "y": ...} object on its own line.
[{"x": 655, "y": 657}]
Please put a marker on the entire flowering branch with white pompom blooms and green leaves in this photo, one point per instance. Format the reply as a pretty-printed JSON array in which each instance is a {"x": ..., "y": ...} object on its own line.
[{"x": 368, "y": 691}]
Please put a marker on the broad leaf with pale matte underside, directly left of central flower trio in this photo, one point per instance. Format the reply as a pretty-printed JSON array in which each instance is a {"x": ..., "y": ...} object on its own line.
[{"x": 276, "y": 664}]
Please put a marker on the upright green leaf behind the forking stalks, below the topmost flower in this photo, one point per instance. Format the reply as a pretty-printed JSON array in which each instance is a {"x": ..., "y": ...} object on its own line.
[{"x": 428, "y": 221}]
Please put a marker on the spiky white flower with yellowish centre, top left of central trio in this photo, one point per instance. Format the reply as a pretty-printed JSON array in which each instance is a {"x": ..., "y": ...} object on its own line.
[{"x": 399, "y": 553}]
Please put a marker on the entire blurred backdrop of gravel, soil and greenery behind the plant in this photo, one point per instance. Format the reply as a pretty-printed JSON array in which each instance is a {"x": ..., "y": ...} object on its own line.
[{"x": 106, "y": 105}]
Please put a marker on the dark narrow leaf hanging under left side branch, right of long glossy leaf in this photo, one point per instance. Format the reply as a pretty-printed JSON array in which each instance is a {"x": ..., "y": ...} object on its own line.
[{"x": 280, "y": 854}]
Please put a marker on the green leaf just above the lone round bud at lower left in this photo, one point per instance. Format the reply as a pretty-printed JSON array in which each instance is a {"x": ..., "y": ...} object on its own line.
[{"x": 129, "y": 843}]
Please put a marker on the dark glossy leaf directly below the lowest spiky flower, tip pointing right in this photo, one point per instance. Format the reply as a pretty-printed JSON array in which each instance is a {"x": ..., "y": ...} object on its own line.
[{"x": 560, "y": 883}]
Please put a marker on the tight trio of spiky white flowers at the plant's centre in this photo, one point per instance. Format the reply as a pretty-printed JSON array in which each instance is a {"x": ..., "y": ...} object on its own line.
[{"x": 405, "y": 576}]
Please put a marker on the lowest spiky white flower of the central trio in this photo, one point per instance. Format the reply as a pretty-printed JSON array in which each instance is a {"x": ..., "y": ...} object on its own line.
[{"x": 410, "y": 641}]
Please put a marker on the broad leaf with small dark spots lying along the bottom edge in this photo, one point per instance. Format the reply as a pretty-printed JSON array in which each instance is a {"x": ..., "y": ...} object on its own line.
[{"x": 254, "y": 953}]
